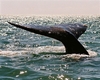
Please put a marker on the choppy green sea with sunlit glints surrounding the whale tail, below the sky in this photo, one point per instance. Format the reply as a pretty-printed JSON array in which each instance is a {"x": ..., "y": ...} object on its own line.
[{"x": 29, "y": 56}]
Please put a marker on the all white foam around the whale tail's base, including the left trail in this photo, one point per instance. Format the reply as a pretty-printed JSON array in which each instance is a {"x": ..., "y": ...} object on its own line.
[{"x": 50, "y": 49}]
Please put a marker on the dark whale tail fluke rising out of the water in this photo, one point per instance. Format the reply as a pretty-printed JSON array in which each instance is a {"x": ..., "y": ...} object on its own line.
[{"x": 66, "y": 33}]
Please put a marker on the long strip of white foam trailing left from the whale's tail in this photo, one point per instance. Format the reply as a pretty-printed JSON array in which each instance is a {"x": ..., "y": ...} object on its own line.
[{"x": 36, "y": 50}]
